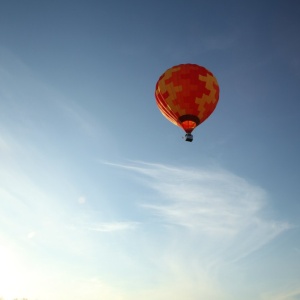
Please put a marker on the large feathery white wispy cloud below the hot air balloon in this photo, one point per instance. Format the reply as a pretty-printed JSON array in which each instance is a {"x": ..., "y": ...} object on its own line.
[{"x": 215, "y": 204}]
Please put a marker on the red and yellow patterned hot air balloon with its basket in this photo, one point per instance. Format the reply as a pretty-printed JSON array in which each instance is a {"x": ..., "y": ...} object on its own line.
[{"x": 186, "y": 95}]
